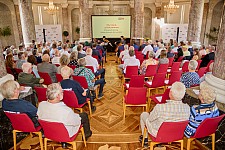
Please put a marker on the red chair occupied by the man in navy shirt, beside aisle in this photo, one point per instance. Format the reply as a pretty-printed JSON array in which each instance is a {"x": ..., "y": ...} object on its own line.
[{"x": 70, "y": 99}]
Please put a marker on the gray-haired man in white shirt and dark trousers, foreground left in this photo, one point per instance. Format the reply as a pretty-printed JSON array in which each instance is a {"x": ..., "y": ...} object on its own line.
[{"x": 55, "y": 110}]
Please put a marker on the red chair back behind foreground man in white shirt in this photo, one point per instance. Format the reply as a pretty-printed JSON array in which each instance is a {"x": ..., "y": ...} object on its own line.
[{"x": 56, "y": 131}]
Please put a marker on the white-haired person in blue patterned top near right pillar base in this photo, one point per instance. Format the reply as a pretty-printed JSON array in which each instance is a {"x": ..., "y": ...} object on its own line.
[{"x": 191, "y": 78}]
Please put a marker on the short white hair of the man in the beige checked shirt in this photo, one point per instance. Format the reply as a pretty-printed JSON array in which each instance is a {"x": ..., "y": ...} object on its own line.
[{"x": 178, "y": 90}]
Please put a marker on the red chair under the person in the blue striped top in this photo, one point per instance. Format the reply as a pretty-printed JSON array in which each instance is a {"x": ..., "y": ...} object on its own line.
[{"x": 206, "y": 128}]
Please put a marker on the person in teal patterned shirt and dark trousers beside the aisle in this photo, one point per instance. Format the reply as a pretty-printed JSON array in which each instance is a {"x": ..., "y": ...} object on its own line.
[{"x": 90, "y": 77}]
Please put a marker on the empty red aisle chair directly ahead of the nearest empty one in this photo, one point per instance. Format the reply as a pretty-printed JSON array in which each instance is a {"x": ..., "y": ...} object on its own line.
[{"x": 135, "y": 81}]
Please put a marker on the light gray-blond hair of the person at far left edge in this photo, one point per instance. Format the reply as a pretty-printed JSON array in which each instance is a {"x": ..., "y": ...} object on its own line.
[{"x": 8, "y": 88}]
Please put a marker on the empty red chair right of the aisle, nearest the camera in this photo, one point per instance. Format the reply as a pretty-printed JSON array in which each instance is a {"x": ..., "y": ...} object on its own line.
[{"x": 136, "y": 96}]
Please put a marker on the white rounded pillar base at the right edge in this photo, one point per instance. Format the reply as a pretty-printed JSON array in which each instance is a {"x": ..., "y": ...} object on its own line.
[{"x": 219, "y": 86}]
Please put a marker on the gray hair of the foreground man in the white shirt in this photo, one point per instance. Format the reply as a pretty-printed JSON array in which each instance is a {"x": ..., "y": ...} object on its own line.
[{"x": 53, "y": 91}]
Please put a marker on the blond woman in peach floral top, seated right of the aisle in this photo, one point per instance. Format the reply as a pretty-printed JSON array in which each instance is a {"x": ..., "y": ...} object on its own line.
[{"x": 149, "y": 61}]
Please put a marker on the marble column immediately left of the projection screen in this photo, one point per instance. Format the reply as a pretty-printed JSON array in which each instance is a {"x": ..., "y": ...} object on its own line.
[{"x": 85, "y": 21}]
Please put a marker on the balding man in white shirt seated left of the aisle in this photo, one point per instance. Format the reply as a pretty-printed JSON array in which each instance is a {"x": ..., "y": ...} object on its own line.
[{"x": 91, "y": 61}]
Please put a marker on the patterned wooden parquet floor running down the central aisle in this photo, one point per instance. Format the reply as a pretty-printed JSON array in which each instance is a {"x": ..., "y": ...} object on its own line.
[{"x": 107, "y": 122}]
